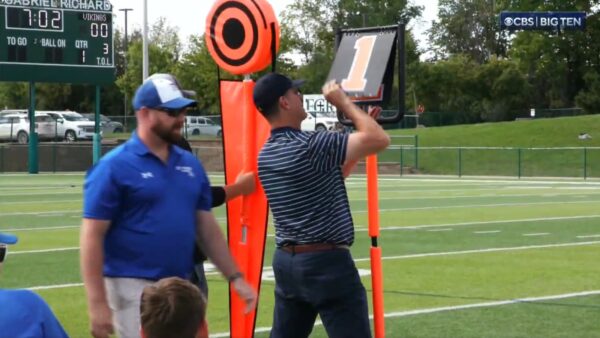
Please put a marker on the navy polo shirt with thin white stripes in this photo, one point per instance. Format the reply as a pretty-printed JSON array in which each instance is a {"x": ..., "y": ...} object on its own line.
[{"x": 302, "y": 177}]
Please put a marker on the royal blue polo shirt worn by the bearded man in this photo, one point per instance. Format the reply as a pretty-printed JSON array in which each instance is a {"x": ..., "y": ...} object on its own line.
[{"x": 152, "y": 207}]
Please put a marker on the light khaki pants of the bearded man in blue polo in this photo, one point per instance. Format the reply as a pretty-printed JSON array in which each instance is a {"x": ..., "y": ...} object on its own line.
[{"x": 124, "y": 300}]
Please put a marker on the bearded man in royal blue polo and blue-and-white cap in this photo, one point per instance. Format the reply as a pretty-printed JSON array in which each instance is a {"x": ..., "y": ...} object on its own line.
[{"x": 145, "y": 204}]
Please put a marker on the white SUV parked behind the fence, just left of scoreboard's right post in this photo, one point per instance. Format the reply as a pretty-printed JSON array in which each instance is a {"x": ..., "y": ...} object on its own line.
[{"x": 71, "y": 126}]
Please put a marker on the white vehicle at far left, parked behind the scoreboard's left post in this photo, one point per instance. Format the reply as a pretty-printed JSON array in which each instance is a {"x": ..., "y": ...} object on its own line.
[{"x": 15, "y": 127}]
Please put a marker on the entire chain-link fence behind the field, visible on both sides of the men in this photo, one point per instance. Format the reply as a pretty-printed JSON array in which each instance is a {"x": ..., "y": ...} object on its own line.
[{"x": 398, "y": 159}]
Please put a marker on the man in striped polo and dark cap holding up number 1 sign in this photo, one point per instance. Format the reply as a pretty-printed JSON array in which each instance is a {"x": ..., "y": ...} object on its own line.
[{"x": 302, "y": 174}]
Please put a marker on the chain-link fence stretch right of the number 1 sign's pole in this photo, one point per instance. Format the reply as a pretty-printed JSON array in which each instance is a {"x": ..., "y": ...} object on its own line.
[{"x": 581, "y": 162}]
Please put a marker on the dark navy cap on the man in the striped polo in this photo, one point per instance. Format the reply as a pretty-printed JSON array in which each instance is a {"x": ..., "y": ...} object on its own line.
[{"x": 270, "y": 88}]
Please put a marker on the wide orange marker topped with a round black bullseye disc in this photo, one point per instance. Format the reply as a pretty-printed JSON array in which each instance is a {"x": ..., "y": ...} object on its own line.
[{"x": 242, "y": 37}]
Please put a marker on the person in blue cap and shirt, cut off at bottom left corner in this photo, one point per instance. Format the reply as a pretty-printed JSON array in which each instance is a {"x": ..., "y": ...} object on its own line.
[{"x": 22, "y": 312}]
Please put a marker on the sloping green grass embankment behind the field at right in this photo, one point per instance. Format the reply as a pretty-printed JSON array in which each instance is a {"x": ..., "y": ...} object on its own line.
[{"x": 512, "y": 154}]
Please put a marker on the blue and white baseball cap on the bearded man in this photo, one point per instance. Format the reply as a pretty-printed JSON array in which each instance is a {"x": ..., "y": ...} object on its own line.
[{"x": 161, "y": 92}]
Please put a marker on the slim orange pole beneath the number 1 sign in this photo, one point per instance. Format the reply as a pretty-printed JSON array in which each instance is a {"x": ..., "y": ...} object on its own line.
[{"x": 376, "y": 266}]
